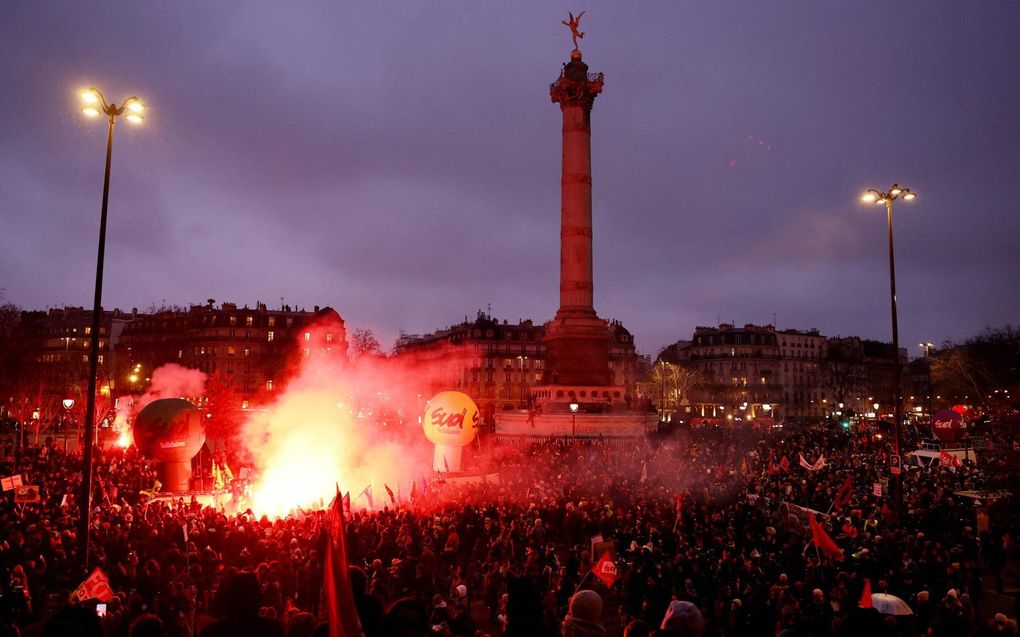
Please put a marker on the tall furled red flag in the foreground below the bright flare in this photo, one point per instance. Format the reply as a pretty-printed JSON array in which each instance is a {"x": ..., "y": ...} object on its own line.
[{"x": 341, "y": 612}]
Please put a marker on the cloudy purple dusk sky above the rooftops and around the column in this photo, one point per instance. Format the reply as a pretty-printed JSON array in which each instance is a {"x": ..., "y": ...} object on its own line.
[{"x": 400, "y": 162}]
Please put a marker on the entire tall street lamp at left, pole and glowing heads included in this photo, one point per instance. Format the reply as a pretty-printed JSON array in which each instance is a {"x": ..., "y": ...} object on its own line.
[{"x": 132, "y": 110}]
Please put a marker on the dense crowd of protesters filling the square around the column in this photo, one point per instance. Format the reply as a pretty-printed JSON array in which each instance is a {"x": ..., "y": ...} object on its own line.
[{"x": 708, "y": 533}]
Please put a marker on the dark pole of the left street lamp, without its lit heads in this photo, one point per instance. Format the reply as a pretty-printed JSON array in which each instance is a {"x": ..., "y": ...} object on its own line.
[{"x": 85, "y": 499}]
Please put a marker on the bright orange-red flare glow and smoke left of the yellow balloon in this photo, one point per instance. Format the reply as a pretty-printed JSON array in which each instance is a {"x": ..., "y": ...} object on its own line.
[{"x": 313, "y": 439}]
